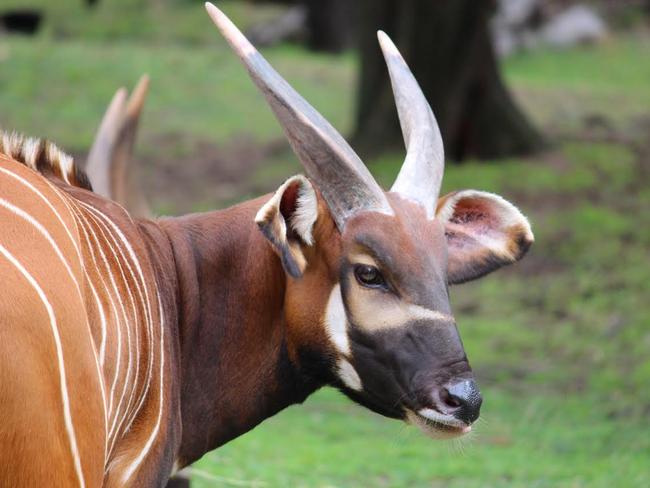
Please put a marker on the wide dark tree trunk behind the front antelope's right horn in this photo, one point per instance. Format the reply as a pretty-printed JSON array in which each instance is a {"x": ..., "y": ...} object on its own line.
[{"x": 448, "y": 47}]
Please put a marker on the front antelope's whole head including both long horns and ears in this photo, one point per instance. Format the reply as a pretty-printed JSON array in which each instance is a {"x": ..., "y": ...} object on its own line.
[{"x": 368, "y": 271}]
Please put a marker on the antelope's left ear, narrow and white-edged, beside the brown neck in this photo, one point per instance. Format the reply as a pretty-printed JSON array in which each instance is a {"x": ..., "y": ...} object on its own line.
[{"x": 287, "y": 220}]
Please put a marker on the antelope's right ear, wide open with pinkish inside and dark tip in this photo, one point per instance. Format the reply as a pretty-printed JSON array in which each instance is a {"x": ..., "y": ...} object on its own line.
[{"x": 484, "y": 232}]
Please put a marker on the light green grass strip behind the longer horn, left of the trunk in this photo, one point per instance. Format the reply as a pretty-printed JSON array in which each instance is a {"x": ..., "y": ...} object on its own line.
[{"x": 192, "y": 89}]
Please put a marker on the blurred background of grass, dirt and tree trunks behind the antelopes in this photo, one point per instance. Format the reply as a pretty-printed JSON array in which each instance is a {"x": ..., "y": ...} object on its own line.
[{"x": 546, "y": 102}]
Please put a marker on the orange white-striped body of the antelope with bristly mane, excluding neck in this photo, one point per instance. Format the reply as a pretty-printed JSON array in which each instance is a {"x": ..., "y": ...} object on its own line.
[{"x": 82, "y": 330}]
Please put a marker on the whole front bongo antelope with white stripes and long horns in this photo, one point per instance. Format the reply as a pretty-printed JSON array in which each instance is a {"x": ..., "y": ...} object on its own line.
[{"x": 129, "y": 348}]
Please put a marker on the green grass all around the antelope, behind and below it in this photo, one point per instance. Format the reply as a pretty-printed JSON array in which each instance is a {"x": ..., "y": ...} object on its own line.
[{"x": 559, "y": 342}]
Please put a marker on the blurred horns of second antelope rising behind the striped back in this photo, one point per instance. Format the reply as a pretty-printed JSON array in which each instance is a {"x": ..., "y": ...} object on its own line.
[{"x": 109, "y": 165}]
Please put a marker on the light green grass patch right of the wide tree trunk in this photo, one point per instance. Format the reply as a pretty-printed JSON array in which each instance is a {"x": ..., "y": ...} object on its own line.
[{"x": 608, "y": 84}]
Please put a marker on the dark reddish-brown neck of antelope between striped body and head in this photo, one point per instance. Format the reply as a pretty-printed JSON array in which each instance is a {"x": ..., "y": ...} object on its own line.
[{"x": 232, "y": 360}]
